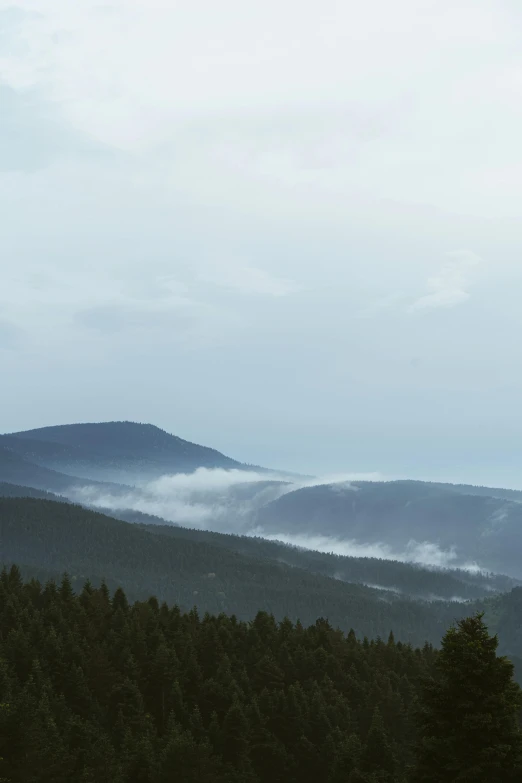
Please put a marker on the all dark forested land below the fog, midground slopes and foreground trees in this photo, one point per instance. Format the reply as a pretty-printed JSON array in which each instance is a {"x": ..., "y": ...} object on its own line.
[{"x": 327, "y": 682}]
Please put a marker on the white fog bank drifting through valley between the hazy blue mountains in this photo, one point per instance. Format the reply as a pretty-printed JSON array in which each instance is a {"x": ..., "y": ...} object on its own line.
[{"x": 226, "y": 501}]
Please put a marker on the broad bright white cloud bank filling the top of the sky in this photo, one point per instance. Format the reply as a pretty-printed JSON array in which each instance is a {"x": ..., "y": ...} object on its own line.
[{"x": 324, "y": 103}]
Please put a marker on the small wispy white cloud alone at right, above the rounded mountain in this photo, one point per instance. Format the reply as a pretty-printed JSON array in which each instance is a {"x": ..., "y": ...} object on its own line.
[{"x": 451, "y": 286}]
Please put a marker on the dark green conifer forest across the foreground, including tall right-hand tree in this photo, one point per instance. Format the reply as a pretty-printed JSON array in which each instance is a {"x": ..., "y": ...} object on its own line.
[{"x": 95, "y": 690}]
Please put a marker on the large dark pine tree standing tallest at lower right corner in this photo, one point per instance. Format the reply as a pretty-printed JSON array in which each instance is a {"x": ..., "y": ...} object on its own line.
[{"x": 468, "y": 722}]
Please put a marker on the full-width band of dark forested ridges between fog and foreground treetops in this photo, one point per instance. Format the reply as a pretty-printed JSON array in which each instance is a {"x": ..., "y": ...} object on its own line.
[{"x": 220, "y": 573}]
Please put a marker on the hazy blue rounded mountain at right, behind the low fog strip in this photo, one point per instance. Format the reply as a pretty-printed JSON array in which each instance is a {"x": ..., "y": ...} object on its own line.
[{"x": 401, "y": 515}]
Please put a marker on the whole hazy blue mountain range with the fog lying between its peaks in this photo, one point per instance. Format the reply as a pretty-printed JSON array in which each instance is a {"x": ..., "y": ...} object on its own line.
[{"x": 111, "y": 465}]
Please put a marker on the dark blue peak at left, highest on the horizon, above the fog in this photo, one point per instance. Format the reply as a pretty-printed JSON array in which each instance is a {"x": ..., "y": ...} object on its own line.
[{"x": 118, "y": 451}]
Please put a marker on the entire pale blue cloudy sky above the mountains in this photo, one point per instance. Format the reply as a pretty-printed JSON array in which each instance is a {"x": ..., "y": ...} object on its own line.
[{"x": 288, "y": 230}]
